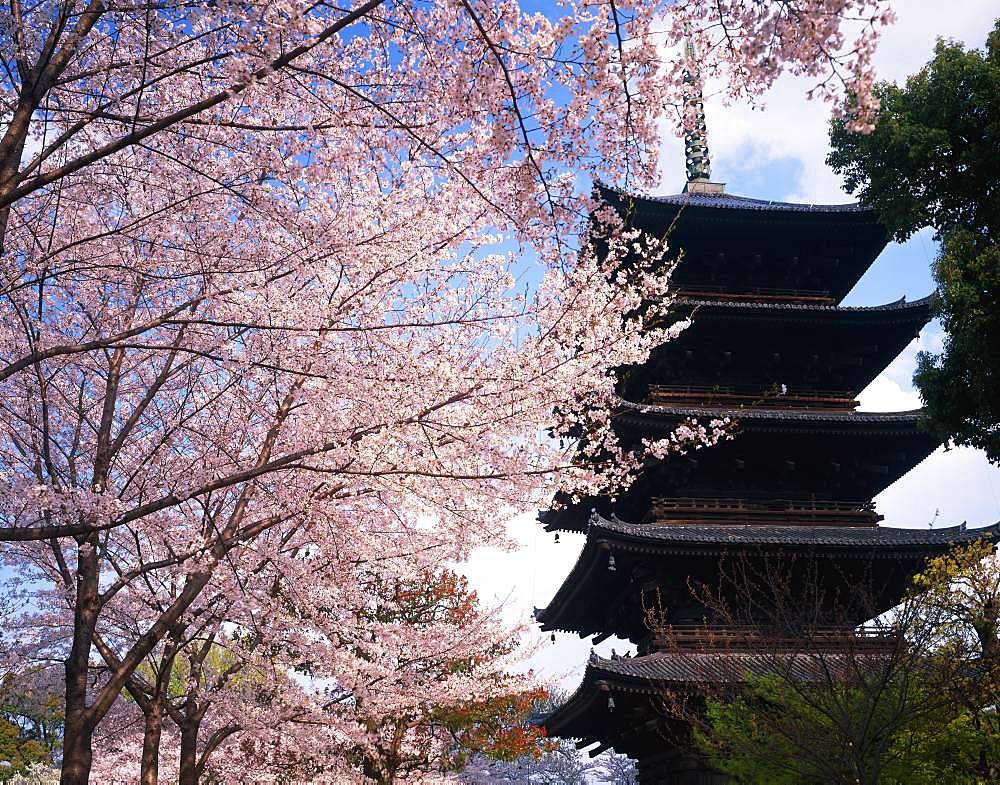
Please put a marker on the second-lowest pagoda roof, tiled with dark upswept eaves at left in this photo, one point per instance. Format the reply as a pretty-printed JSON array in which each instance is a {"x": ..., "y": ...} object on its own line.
[{"x": 590, "y": 585}]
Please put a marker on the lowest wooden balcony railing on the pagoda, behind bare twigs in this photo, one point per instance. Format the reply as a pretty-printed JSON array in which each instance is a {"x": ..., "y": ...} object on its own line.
[{"x": 722, "y": 638}]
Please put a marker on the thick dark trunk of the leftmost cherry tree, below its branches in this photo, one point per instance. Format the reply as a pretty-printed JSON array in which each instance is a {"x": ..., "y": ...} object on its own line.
[{"x": 79, "y": 727}]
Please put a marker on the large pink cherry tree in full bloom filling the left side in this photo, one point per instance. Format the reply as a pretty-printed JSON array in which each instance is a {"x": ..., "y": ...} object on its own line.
[{"x": 289, "y": 275}]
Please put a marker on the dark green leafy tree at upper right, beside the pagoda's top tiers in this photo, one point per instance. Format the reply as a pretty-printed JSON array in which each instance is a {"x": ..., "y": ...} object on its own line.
[{"x": 932, "y": 160}]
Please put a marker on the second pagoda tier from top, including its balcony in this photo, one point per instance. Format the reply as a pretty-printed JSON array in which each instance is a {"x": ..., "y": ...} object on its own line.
[{"x": 777, "y": 355}]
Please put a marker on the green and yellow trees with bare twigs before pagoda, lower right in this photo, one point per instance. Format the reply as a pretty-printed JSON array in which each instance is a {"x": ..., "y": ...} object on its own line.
[{"x": 922, "y": 711}]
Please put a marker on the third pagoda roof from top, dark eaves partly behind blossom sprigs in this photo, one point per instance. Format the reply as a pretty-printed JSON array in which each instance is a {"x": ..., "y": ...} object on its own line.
[{"x": 884, "y": 446}]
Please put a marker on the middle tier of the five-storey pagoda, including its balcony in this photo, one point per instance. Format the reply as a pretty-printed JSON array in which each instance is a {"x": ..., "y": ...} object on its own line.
[{"x": 780, "y": 466}]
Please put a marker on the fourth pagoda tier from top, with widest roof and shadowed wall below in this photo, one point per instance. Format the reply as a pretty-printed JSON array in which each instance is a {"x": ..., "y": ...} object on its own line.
[{"x": 625, "y": 568}]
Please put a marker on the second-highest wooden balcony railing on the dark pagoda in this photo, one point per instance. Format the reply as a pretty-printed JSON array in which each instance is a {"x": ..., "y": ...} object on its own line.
[{"x": 752, "y": 395}]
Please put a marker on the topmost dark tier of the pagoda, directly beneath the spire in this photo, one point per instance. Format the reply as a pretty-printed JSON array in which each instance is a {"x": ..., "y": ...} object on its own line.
[{"x": 772, "y": 250}]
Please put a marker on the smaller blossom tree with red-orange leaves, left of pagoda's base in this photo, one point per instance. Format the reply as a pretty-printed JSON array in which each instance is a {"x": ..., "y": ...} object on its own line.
[{"x": 450, "y": 693}]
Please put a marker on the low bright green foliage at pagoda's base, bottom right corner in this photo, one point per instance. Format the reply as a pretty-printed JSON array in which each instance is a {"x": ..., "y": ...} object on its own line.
[{"x": 776, "y": 733}]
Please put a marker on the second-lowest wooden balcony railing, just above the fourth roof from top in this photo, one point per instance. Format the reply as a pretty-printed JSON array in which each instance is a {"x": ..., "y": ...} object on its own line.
[{"x": 792, "y": 512}]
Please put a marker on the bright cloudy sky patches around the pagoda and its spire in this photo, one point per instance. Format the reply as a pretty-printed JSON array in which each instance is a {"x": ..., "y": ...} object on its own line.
[{"x": 777, "y": 152}]
